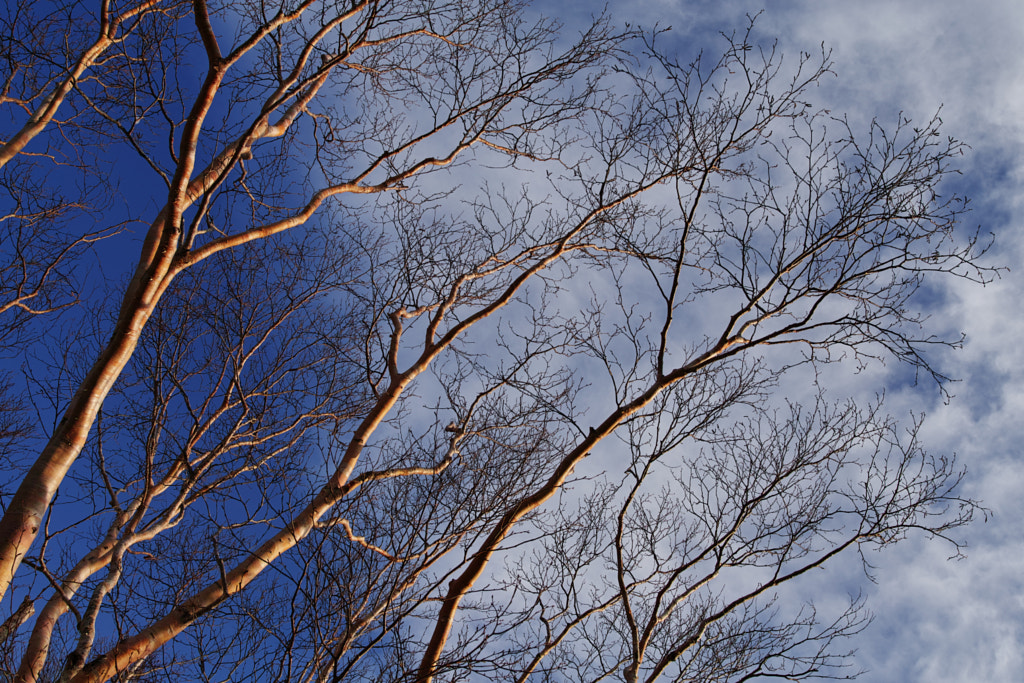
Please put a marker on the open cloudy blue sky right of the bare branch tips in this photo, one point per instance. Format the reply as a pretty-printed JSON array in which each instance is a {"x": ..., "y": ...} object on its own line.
[{"x": 935, "y": 620}]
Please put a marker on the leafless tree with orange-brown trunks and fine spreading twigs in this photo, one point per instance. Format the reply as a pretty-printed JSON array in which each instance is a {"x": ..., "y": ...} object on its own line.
[{"x": 350, "y": 422}]
